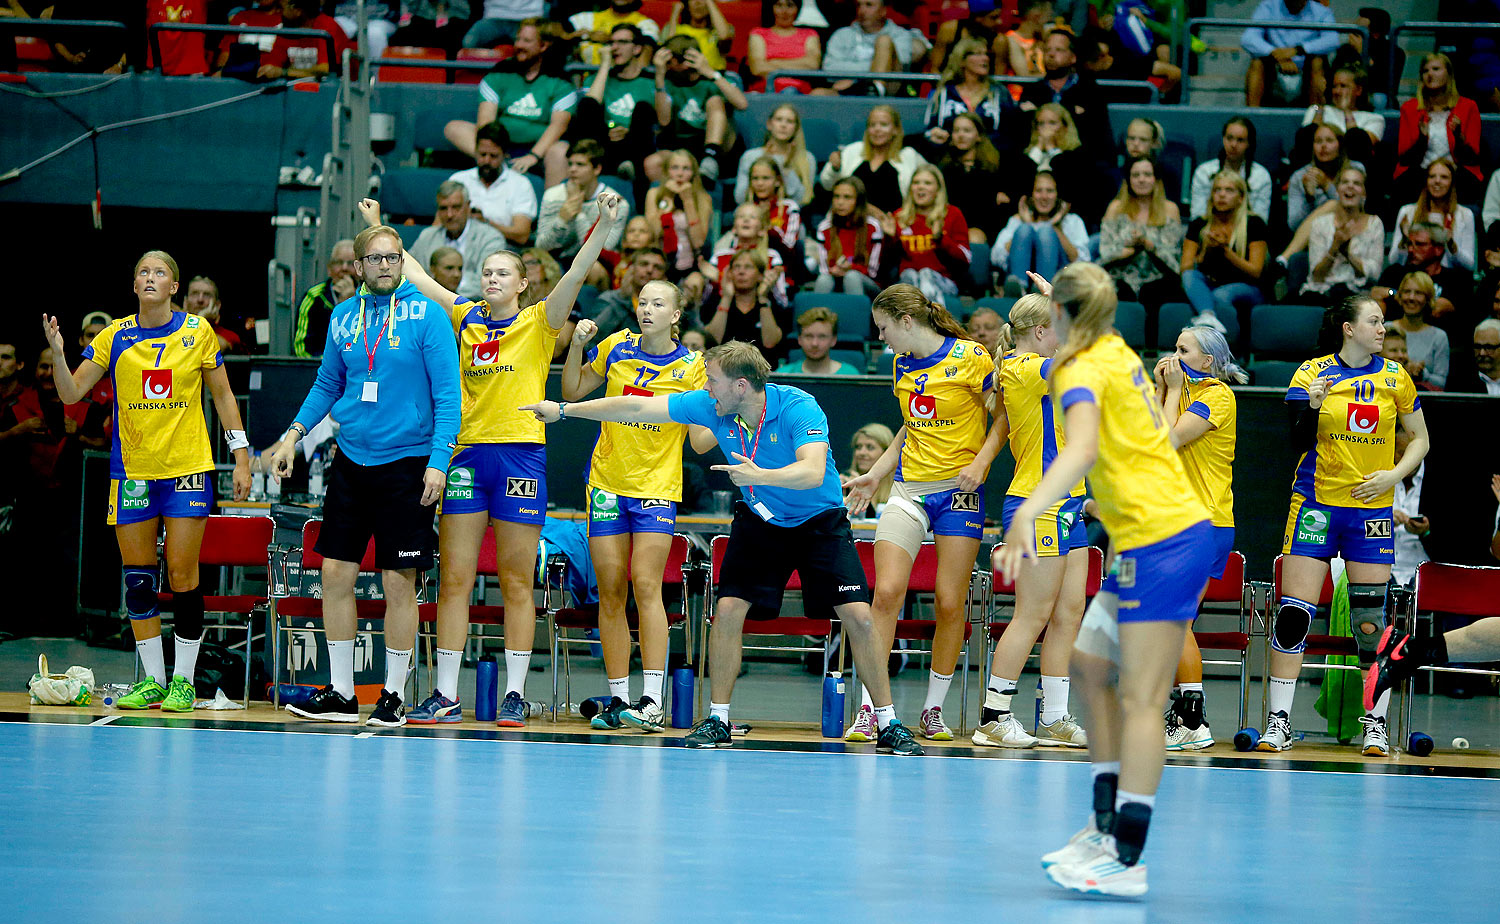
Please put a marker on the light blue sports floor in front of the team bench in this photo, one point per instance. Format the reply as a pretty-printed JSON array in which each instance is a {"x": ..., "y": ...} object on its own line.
[{"x": 142, "y": 821}]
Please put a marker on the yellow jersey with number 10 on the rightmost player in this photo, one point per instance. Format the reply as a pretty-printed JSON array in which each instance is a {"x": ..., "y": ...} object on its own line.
[{"x": 1355, "y": 427}]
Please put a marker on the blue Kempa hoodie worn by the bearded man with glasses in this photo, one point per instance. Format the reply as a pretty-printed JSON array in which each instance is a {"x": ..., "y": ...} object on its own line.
[{"x": 416, "y": 371}]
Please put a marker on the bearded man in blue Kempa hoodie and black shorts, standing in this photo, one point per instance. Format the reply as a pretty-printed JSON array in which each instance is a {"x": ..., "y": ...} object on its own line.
[{"x": 391, "y": 379}]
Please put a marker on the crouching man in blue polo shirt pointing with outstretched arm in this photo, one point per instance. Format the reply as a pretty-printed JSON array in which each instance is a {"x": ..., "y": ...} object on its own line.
[{"x": 791, "y": 518}]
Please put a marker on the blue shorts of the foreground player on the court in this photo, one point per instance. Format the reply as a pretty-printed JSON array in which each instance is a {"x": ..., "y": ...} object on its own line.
[{"x": 1162, "y": 583}]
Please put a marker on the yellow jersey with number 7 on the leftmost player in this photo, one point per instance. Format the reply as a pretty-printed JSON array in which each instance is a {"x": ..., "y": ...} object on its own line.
[{"x": 160, "y": 430}]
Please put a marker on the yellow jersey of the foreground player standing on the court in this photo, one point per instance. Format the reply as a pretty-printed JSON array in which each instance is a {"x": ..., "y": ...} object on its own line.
[{"x": 1138, "y": 479}]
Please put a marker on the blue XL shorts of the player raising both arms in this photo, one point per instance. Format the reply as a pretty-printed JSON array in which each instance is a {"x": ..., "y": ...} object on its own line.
[{"x": 508, "y": 481}]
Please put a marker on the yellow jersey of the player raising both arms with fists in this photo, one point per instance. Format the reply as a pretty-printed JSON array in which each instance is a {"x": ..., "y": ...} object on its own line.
[{"x": 503, "y": 367}]
